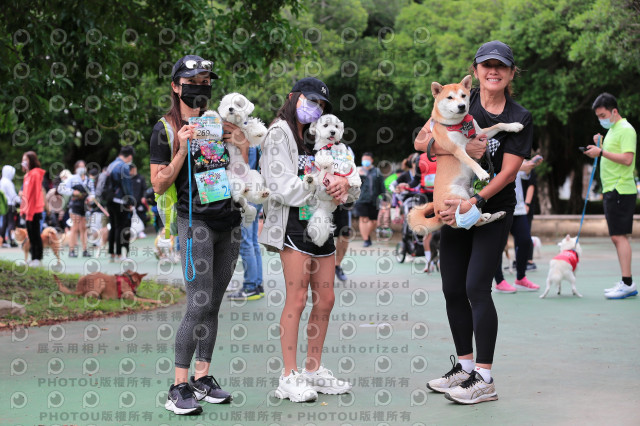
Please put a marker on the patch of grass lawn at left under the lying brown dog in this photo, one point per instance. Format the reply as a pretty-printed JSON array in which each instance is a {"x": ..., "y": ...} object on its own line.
[{"x": 36, "y": 290}]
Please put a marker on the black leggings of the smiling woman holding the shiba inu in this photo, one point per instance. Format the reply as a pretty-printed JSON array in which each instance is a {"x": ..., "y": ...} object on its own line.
[{"x": 468, "y": 261}]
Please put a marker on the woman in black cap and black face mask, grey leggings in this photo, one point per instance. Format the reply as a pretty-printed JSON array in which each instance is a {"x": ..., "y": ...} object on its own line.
[{"x": 215, "y": 232}]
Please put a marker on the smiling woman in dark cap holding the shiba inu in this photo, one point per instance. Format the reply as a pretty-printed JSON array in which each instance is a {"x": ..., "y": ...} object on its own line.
[{"x": 468, "y": 258}]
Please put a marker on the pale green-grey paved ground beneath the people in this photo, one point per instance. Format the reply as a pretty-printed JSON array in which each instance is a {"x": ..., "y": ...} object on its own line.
[{"x": 561, "y": 360}]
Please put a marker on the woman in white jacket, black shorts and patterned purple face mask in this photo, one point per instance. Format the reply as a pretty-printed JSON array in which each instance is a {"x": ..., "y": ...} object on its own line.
[{"x": 287, "y": 155}]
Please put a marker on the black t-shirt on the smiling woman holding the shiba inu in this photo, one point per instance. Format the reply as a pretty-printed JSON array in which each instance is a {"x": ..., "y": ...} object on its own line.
[{"x": 512, "y": 143}]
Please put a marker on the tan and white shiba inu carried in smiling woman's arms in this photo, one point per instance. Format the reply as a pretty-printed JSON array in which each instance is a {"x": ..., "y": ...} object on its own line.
[{"x": 453, "y": 128}]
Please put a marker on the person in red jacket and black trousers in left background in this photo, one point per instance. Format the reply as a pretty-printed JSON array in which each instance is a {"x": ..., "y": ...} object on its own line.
[{"x": 32, "y": 204}]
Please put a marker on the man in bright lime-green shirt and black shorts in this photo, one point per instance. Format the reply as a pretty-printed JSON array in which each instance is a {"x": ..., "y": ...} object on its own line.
[{"x": 618, "y": 154}]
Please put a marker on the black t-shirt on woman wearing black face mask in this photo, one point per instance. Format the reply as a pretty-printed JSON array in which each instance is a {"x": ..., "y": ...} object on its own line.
[{"x": 220, "y": 215}]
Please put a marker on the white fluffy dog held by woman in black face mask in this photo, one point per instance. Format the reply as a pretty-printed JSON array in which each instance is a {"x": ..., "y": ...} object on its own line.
[{"x": 246, "y": 184}]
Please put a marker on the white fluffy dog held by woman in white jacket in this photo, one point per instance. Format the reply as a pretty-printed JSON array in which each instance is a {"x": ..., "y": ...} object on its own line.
[{"x": 332, "y": 159}]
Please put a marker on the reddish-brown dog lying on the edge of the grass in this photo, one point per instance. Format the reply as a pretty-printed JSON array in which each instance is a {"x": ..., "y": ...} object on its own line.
[{"x": 105, "y": 286}]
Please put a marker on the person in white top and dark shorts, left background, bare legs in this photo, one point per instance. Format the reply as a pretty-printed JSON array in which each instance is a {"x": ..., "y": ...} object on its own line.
[{"x": 81, "y": 190}]
